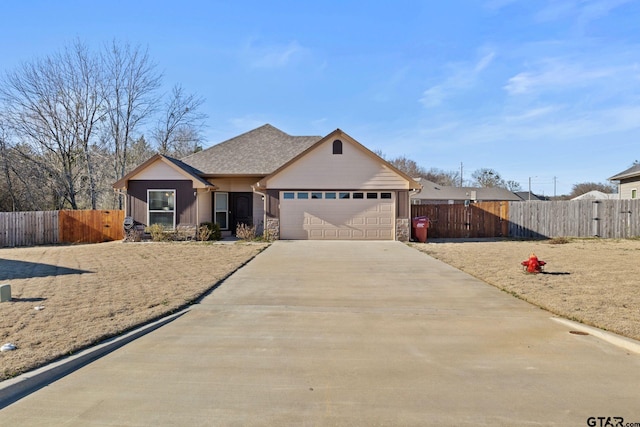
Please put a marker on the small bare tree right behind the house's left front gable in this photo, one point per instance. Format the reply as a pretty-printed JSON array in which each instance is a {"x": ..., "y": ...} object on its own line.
[{"x": 178, "y": 132}]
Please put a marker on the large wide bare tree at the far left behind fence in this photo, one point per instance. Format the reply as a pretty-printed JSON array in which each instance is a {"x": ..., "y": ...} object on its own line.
[{"x": 53, "y": 107}]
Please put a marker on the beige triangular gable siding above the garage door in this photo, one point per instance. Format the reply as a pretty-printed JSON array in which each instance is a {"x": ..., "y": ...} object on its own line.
[{"x": 354, "y": 169}]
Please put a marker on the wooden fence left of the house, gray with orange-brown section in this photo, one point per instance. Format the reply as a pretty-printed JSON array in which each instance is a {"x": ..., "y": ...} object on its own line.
[{"x": 51, "y": 227}]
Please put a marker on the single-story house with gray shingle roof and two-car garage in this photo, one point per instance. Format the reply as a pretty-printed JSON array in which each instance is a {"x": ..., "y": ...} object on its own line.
[{"x": 290, "y": 187}]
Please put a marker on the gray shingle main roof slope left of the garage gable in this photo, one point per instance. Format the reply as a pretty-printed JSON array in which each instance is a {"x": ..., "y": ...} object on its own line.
[{"x": 257, "y": 152}]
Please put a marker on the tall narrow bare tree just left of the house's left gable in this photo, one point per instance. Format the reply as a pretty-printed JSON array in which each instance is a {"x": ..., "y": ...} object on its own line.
[{"x": 129, "y": 90}]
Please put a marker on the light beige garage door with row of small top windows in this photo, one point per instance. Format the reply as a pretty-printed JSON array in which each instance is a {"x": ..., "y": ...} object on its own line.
[{"x": 339, "y": 215}]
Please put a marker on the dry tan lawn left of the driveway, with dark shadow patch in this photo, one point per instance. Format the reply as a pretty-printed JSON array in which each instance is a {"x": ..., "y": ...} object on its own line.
[{"x": 92, "y": 292}]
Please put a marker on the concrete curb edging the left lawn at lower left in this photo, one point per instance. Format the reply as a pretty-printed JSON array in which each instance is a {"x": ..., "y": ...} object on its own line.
[{"x": 16, "y": 388}]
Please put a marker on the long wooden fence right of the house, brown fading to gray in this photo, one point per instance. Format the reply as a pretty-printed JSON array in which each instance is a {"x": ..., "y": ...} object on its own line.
[{"x": 574, "y": 218}]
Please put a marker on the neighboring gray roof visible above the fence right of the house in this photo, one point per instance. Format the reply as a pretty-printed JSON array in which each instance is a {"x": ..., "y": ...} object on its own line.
[{"x": 433, "y": 191}]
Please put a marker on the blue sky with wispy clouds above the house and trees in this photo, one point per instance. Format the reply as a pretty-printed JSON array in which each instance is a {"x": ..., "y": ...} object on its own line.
[{"x": 544, "y": 90}]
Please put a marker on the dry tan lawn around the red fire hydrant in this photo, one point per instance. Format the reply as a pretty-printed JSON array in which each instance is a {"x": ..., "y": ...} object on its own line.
[{"x": 596, "y": 282}]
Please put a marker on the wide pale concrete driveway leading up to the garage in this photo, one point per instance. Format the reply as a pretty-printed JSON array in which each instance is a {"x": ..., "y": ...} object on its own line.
[{"x": 348, "y": 333}]
